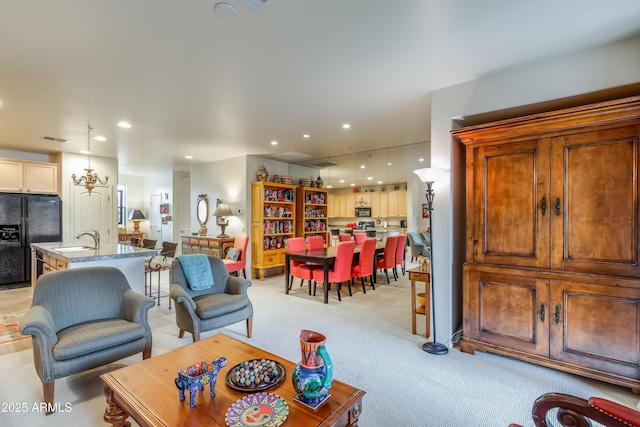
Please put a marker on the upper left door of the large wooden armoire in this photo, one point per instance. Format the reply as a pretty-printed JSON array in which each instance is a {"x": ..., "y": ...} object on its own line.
[{"x": 510, "y": 224}]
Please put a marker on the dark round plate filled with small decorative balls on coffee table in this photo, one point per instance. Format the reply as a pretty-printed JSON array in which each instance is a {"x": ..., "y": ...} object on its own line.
[{"x": 256, "y": 375}]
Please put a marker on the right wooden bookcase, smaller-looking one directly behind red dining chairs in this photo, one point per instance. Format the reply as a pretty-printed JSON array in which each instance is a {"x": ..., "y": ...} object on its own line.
[{"x": 311, "y": 212}]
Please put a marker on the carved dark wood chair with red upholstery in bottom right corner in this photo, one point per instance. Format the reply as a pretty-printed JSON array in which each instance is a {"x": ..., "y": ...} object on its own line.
[{"x": 576, "y": 411}]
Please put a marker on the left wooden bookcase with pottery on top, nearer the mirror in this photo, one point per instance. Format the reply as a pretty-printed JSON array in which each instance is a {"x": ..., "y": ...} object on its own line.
[{"x": 273, "y": 220}]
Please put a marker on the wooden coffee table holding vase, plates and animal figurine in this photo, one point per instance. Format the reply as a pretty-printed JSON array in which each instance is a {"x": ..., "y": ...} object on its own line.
[{"x": 147, "y": 392}]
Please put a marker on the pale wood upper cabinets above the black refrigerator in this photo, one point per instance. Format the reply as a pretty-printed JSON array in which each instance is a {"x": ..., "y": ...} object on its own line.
[{"x": 28, "y": 177}]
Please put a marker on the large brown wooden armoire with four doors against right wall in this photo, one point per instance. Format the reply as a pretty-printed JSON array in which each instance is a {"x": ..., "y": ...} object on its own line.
[{"x": 552, "y": 273}]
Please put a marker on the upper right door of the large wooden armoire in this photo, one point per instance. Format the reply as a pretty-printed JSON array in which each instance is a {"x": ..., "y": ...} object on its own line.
[{"x": 594, "y": 180}]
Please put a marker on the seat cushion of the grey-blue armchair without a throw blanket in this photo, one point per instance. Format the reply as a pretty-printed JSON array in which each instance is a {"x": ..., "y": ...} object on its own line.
[{"x": 98, "y": 335}]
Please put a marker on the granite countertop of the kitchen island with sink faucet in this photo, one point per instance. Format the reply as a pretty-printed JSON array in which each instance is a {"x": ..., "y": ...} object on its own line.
[{"x": 106, "y": 251}]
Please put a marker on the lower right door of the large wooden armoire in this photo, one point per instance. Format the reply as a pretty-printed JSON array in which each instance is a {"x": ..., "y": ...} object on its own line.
[{"x": 596, "y": 326}]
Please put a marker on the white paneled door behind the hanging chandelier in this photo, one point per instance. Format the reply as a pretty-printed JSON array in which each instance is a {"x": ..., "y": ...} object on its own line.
[{"x": 92, "y": 211}]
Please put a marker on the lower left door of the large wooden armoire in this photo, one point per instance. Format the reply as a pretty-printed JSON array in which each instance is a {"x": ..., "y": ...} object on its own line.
[{"x": 509, "y": 311}]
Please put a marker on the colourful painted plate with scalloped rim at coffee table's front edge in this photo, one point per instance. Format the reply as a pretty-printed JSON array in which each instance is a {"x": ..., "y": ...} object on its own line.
[{"x": 257, "y": 410}]
